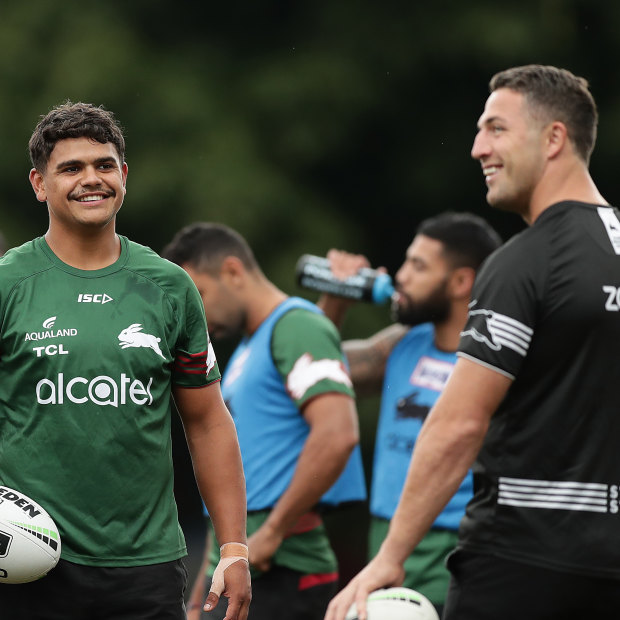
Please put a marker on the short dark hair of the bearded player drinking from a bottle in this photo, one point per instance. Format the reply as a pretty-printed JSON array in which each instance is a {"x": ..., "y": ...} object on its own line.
[{"x": 467, "y": 238}]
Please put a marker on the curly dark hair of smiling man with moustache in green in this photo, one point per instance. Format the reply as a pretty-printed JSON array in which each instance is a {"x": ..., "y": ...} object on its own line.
[{"x": 74, "y": 120}]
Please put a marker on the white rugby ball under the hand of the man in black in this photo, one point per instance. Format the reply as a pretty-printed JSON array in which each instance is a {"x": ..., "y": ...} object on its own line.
[{"x": 396, "y": 604}]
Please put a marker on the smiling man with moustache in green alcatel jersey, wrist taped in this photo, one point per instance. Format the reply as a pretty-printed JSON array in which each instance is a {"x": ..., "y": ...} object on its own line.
[{"x": 96, "y": 334}]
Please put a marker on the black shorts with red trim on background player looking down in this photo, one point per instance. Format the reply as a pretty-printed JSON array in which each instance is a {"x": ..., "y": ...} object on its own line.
[{"x": 283, "y": 593}]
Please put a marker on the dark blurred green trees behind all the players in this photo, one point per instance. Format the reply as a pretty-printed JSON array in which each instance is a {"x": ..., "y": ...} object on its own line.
[{"x": 303, "y": 124}]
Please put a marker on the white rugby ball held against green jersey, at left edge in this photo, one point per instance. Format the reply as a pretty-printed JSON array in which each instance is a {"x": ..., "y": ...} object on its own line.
[{"x": 29, "y": 539}]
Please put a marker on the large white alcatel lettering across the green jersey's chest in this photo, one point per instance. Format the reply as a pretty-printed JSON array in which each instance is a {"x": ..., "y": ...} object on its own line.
[{"x": 101, "y": 390}]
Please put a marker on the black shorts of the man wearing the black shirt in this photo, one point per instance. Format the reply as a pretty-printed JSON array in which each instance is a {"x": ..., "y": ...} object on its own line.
[{"x": 484, "y": 587}]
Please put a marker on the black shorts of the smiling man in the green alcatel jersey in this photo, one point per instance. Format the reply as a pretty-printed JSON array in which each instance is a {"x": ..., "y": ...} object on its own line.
[{"x": 75, "y": 592}]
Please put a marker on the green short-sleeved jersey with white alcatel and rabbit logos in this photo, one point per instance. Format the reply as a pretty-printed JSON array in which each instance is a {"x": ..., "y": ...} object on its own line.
[{"x": 87, "y": 361}]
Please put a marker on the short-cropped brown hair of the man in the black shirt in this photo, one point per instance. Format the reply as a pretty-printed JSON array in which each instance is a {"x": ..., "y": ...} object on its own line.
[{"x": 555, "y": 94}]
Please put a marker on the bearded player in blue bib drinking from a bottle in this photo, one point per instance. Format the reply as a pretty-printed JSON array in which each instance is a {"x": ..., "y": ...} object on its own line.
[{"x": 411, "y": 361}]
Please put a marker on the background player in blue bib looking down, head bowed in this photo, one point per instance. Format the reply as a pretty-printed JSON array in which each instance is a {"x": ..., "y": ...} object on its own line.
[{"x": 292, "y": 401}]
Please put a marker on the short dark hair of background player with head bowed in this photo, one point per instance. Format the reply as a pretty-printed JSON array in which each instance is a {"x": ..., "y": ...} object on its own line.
[{"x": 204, "y": 245}]
